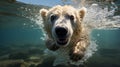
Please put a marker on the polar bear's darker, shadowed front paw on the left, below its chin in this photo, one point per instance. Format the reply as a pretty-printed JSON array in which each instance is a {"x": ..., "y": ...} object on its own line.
[{"x": 51, "y": 45}]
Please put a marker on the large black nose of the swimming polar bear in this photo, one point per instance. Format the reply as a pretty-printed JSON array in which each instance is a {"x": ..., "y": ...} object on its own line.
[{"x": 61, "y": 31}]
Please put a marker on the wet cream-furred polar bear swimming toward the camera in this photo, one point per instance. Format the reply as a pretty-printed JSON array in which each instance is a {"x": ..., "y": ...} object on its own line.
[{"x": 64, "y": 27}]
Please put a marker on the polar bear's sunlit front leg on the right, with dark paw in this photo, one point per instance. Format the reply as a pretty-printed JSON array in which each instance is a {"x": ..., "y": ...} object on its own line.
[{"x": 78, "y": 51}]
